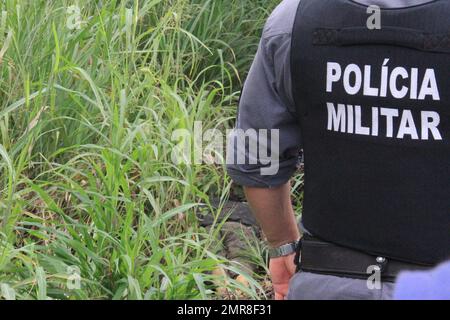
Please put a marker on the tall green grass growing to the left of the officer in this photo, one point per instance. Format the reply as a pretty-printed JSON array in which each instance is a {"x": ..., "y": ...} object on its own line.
[{"x": 86, "y": 116}]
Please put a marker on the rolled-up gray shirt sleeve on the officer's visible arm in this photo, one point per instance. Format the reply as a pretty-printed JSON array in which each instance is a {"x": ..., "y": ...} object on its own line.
[{"x": 267, "y": 104}]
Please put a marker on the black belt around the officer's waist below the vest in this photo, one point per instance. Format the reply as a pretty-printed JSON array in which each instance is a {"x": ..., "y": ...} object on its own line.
[{"x": 321, "y": 257}]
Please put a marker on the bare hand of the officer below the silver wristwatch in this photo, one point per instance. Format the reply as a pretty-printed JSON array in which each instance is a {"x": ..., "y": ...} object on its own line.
[{"x": 282, "y": 270}]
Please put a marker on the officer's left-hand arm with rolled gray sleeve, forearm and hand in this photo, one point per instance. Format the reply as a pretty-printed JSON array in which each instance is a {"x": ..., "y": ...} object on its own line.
[{"x": 267, "y": 103}]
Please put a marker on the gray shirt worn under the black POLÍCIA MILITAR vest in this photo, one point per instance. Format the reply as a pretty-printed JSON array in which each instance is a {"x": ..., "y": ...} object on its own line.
[{"x": 267, "y": 99}]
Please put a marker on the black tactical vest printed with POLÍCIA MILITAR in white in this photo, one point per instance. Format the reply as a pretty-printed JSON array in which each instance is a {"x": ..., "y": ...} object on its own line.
[{"x": 374, "y": 109}]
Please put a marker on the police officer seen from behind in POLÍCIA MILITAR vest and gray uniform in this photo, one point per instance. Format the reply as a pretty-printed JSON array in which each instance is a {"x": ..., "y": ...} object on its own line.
[{"x": 363, "y": 88}]
